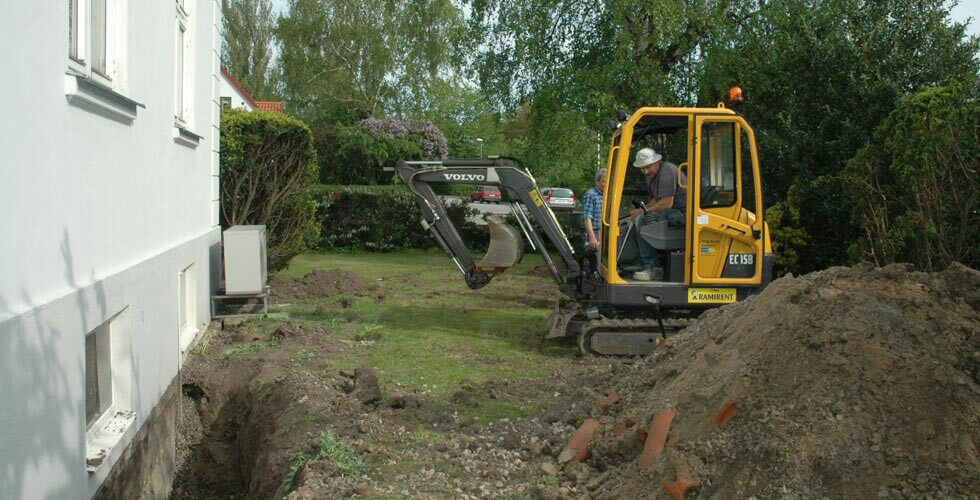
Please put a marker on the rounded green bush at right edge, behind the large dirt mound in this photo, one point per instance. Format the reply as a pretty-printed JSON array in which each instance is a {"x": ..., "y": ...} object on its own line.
[{"x": 915, "y": 187}]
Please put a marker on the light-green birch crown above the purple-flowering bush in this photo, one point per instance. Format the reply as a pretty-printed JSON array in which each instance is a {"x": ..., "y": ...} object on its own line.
[{"x": 344, "y": 60}]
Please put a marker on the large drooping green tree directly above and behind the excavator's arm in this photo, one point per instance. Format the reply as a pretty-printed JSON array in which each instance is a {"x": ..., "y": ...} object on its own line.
[{"x": 562, "y": 69}]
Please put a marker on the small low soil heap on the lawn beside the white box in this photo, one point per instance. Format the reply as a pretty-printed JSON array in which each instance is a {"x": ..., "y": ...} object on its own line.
[{"x": 319, "y": 284}]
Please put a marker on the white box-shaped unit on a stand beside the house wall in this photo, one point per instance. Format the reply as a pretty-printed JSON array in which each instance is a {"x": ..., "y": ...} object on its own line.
[{"x": 245, "y": 260}]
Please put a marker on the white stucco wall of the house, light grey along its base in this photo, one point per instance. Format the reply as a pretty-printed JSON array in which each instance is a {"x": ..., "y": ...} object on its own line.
[{"x": 99, "y": 216}]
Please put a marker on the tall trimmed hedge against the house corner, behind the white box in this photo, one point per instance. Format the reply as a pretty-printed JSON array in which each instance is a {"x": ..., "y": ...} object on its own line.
[{"x": 268, "y": 167}]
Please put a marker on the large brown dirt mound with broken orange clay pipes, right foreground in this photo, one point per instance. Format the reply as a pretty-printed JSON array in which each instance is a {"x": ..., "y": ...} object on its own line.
[{"x": 846, "y": 383}]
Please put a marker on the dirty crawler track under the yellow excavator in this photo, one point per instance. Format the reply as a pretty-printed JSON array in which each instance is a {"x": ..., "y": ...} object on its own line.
[{"x": 624, "y": 338}]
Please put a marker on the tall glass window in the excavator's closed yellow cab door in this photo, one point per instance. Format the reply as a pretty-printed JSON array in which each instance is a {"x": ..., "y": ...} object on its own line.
[{"x": 718, "y": 179}]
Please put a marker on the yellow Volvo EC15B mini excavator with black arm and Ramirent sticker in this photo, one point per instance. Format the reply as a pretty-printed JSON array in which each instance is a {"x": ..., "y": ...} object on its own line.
[{"x": 721, "y": 255}]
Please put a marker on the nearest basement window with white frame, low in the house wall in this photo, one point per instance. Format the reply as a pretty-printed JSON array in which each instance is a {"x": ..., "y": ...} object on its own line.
[{"x": 108, "y": 387}]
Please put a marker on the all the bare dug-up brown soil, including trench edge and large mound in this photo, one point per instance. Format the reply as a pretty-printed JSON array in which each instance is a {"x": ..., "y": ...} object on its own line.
[{"x": 854, "y": 382}]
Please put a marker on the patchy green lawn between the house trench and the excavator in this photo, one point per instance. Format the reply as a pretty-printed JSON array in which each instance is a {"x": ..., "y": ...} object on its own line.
[{"x": 431, "y": 332}]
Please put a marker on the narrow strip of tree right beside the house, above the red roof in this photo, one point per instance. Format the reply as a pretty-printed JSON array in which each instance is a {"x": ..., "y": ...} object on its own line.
[{"x": 247, "y": 38}]
